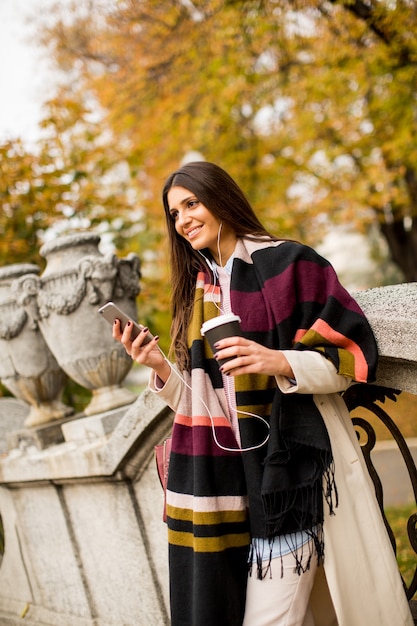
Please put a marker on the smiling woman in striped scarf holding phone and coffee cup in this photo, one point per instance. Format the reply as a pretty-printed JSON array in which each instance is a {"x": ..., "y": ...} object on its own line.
[{"x": 272, "y": 517}]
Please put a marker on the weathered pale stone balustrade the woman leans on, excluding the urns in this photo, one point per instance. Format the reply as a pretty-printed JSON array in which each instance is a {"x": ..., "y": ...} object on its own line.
[{"x": 81, "y": 502}]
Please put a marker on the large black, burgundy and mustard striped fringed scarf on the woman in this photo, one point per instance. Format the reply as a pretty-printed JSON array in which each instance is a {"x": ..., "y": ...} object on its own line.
[{"x": 287, "y": 297}]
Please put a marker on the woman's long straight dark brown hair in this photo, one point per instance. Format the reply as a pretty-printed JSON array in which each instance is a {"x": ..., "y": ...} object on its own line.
[{"x": 221, "y": 195}]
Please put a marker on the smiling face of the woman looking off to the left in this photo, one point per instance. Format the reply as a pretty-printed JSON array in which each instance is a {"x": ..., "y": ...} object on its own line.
[{"x": 199, "y": 226}]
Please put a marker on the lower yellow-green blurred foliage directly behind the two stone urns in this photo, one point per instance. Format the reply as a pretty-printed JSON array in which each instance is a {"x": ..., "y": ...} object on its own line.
[{"x": 73, "y": 179}]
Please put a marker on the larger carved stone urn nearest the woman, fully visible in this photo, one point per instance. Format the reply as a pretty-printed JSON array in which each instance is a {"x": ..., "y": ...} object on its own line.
[{"x": 77, "y": 280}]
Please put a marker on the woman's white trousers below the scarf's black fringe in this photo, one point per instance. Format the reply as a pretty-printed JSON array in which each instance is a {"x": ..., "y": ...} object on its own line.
[{"x": 280, "y": 601}]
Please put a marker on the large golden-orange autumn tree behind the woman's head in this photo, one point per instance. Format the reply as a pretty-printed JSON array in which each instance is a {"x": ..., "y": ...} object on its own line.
[{"x": 310, "y": 104}]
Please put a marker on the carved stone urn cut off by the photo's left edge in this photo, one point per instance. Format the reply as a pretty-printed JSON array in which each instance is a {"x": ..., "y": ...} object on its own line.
[{"x": 28, "y": 369}]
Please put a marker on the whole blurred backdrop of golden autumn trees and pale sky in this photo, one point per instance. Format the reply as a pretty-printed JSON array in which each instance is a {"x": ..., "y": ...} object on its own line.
[{"x": 309, "y": 104}]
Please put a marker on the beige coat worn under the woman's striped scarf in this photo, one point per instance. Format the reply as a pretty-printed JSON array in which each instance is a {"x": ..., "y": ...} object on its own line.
[{"x": 360, "y": 584}]
